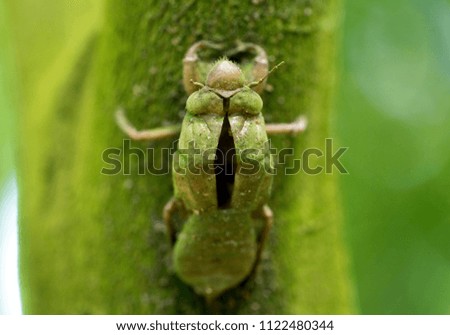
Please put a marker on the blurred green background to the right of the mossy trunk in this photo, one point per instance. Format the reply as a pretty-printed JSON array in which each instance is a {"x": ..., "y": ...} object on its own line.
[{"x": 394, "y": 116}]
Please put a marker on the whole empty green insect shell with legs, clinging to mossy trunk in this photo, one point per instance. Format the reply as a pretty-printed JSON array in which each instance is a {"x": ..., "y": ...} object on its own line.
[{"x": 220, "y": 171}]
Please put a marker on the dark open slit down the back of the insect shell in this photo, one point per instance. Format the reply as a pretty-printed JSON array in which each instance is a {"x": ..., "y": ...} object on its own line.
[{"x": 225, "y": 162}]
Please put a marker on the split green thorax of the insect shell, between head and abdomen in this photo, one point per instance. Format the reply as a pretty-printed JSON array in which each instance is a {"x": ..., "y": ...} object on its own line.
[{"x": 228, "y": 126}]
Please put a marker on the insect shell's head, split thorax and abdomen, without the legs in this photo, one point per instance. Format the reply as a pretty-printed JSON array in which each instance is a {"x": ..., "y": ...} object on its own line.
[{"x": 218, "y": 248}]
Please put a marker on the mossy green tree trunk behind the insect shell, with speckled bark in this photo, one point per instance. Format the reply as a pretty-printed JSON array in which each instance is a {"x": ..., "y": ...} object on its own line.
[{"x": 94, "y": 243}]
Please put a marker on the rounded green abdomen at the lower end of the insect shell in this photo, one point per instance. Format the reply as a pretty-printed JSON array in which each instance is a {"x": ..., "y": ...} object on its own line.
[{"x": 216, "y": 251}]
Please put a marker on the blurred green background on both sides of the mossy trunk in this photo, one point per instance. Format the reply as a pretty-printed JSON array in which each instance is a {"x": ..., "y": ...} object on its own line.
[{"x": 393, "y": 112}]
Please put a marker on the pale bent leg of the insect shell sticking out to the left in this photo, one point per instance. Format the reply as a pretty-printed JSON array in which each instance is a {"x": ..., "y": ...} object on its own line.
[{"x": 142, "y": 135}]
